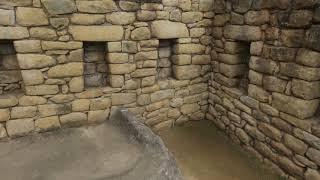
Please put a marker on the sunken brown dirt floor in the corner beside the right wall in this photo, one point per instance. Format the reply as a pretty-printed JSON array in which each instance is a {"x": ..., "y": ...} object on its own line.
[{"x": 203, "y": 153}]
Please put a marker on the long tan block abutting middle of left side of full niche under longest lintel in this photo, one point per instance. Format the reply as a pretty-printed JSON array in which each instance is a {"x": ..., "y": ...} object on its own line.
[{"x": 66, "y": 70}]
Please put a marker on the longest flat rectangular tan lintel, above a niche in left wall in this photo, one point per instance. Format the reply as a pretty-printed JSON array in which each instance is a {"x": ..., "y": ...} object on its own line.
[{"x": 96, "y": 33}]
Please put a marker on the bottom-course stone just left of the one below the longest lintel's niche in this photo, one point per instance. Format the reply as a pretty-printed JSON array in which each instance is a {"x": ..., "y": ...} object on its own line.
[{"x": 73, "y": 119}]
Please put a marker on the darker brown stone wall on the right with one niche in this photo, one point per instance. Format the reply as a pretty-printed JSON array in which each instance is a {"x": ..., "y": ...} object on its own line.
[{"x": 275, "y": 45}]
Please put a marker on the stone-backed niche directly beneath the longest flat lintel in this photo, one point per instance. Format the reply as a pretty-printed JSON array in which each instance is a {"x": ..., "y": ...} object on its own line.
[{"x": 95, "y": 67}]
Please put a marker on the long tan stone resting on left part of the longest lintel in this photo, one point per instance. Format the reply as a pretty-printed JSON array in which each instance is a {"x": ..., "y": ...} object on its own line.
[{"x": 87, "y": 19}]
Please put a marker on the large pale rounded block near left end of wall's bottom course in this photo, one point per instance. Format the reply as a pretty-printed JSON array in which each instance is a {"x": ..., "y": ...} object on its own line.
[{"x": 20, "y": 127}]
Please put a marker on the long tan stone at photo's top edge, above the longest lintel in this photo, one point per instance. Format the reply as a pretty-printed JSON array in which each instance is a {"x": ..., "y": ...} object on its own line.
[{"x": 103, "y": 6}]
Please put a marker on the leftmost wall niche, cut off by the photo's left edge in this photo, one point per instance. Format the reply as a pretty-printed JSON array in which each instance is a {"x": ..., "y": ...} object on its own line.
[{"x": 10, "y": 74}]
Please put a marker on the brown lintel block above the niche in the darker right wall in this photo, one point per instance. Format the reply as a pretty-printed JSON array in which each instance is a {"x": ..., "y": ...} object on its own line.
[{"x": 243, "y": 33}]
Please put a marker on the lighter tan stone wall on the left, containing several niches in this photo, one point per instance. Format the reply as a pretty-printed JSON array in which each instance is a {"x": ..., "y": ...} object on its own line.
[{"x": 81, "y": 58}]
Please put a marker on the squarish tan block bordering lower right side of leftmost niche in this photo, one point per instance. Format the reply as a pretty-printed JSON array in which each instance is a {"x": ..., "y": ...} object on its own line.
[{"x": 32, "y": 77}]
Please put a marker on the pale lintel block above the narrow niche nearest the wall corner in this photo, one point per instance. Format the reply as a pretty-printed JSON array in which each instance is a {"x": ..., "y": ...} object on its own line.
[{"x": 167, "y": 30}]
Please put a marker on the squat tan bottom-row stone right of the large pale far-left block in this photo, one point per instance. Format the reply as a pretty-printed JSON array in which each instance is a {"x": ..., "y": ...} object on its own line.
[{"x": 47, "y": 124}]
